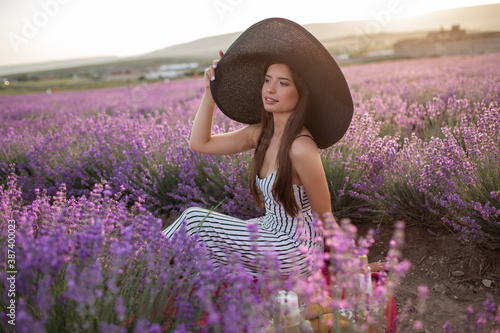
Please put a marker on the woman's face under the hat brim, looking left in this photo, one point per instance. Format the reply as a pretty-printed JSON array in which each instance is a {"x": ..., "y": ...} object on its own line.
[{"x": 279, "y": 93}]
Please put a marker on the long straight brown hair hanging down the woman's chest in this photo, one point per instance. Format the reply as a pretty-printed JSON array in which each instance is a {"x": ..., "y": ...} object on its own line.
[{"x": 283, "y": 186}]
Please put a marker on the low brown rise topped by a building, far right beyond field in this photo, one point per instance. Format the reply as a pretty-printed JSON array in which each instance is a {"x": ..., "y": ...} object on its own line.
[{"x": 452, "y": 42}]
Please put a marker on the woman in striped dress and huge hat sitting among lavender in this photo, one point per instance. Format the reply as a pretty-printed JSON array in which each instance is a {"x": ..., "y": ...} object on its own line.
[{"x": 280, "y": 80}]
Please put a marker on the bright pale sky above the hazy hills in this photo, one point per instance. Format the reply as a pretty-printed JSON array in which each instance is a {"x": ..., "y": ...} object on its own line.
[{"x": 47, "y": 30}]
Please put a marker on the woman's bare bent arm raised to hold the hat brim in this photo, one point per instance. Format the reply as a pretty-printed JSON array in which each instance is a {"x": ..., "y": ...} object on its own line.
[{"x": 202, "y": 140}]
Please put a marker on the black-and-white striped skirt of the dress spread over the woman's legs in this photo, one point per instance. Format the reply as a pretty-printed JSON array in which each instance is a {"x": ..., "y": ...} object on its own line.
[{"x": 224, "y": 235}]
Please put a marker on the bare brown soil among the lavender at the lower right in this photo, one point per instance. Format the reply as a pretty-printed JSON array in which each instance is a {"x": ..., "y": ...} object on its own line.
[{"x": 458, "y": 275}]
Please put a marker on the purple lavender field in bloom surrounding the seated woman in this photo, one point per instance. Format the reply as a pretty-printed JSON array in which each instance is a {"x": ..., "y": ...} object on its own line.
[{"x": 87, "y": 175}]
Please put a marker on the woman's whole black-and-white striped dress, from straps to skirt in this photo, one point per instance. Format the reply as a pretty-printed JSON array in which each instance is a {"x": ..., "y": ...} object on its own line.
[{"x": 292, "y": 239}]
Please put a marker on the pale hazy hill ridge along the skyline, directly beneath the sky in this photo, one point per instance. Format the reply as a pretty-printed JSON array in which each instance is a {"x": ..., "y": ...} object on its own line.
[{"x": 351, "y": 37}]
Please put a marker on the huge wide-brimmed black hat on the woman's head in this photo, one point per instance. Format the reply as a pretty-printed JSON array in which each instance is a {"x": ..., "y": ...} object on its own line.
[{"x": 239, "y": 77}]
